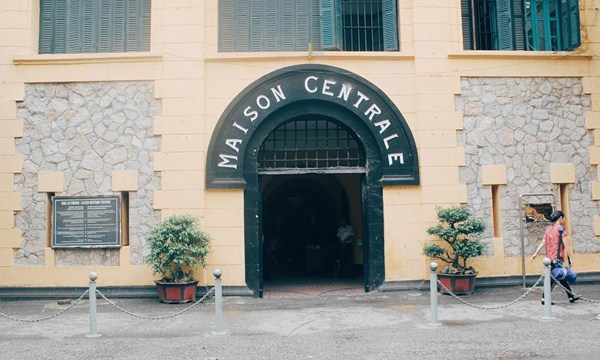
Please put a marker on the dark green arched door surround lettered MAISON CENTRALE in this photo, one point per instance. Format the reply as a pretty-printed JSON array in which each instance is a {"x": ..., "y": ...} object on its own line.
[{"x": 312, "y": 93}]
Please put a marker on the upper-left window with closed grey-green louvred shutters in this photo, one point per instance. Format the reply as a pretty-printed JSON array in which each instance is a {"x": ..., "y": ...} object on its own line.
[{"x": 93, "y": 26}]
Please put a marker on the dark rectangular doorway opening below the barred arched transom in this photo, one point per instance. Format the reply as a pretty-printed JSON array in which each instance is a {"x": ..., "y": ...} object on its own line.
[{"x": 301, "y": 250}]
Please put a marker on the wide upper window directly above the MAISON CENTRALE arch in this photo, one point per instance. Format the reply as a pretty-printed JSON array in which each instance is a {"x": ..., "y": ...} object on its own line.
[{"x": 291, "y": 25}]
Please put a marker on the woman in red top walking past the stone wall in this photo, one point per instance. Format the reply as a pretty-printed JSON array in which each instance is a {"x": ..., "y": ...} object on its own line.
[{"x": 555, "y": 244}]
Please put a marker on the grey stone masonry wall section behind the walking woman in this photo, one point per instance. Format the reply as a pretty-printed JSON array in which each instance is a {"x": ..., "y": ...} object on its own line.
[{"x": 527, "y": 124}]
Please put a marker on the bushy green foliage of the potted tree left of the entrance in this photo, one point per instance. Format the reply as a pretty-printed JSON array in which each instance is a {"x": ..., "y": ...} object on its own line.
[{"x": 177, "y": 247}]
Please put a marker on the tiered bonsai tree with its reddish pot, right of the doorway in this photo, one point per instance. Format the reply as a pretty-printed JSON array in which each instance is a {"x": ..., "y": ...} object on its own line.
[{"x": 459, "y": 230}]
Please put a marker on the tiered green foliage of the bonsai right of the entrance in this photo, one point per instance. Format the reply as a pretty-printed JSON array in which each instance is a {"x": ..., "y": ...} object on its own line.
[{"x": 459, "y": 229}]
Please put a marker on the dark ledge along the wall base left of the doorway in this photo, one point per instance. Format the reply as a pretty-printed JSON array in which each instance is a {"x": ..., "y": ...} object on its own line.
[{"x": 22, "y": 293}]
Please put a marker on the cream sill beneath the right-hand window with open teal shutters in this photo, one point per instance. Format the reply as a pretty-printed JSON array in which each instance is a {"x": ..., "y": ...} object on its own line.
[{"x": 543, "y": 55}]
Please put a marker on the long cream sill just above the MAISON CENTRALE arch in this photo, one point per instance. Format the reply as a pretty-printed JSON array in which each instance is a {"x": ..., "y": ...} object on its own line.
[{"x": 270, "y": 55}]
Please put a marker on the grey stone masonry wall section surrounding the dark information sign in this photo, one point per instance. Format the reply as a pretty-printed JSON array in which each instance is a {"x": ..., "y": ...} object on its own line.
[{"x": 86, "y": 131}]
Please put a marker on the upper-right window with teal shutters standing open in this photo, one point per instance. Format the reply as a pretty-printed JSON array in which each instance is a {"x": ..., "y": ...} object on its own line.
[{"x": 536, "y": 25}]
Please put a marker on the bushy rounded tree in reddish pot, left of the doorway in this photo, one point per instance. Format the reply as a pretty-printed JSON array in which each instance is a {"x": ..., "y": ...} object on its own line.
[{"x": 177, "y": 248}]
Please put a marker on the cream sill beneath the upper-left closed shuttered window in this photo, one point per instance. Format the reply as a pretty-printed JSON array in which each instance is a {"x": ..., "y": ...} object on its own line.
[{"x": 93, "y": 58}]
